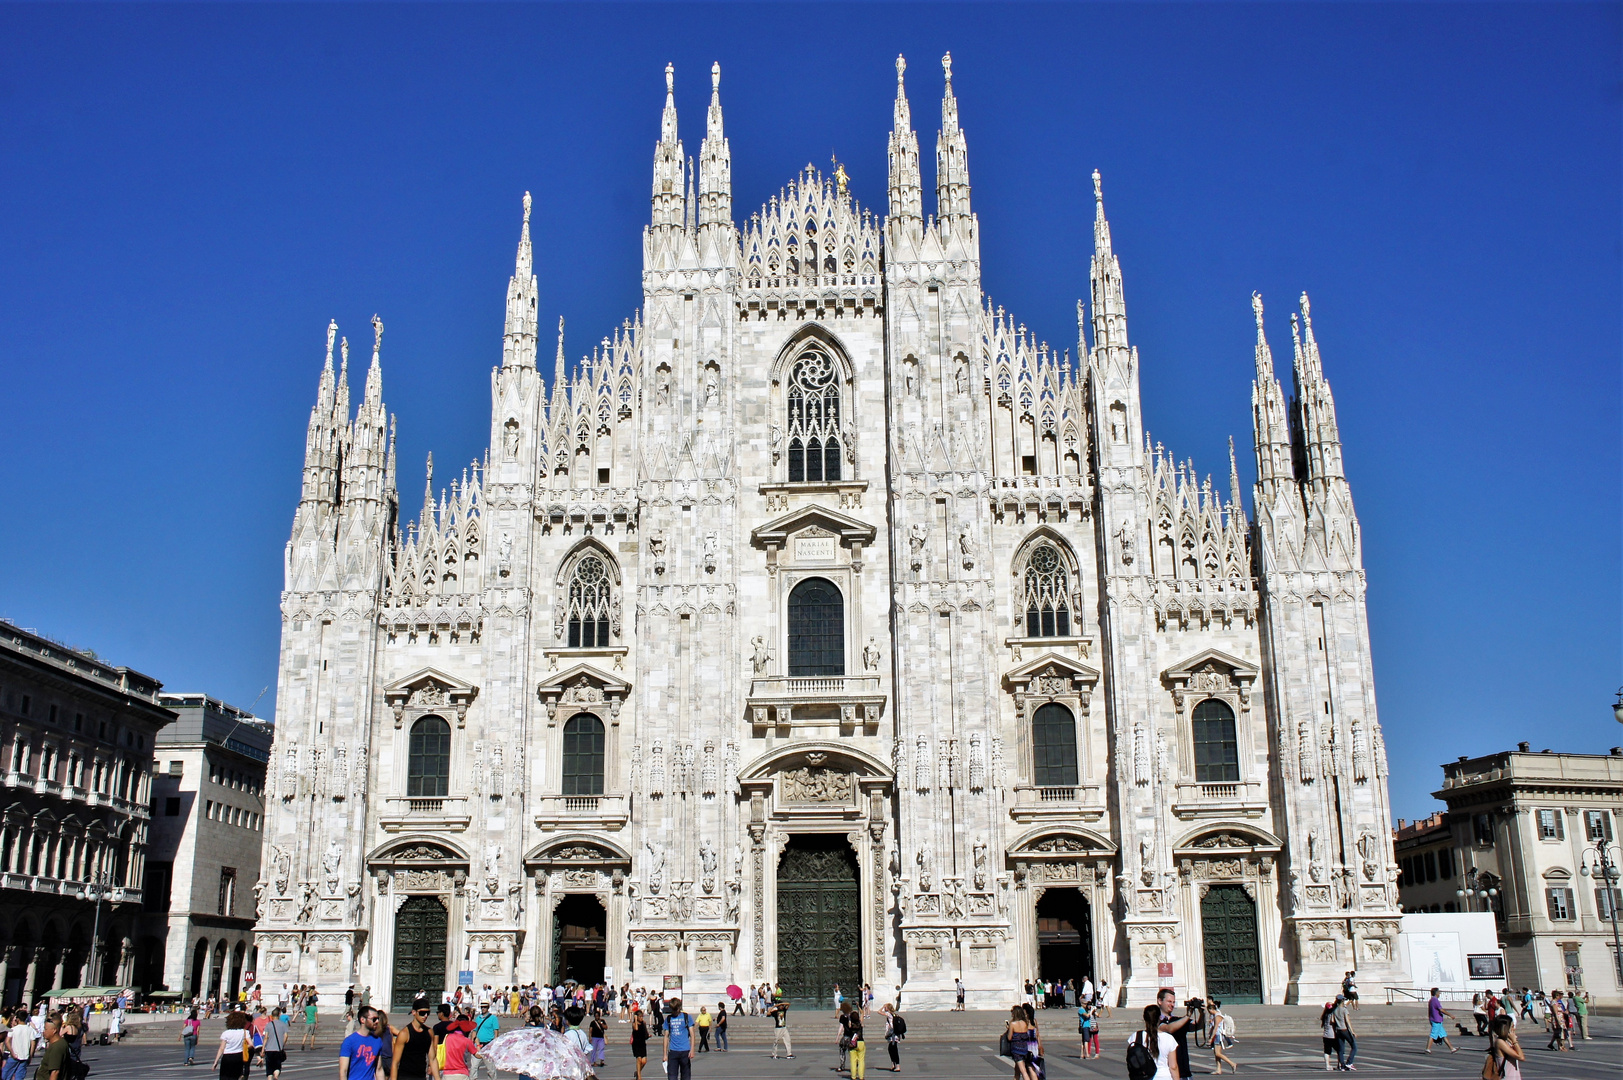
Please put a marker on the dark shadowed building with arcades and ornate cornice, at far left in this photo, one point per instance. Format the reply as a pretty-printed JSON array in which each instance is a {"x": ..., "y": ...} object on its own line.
[{"x": 75, "y": 761}]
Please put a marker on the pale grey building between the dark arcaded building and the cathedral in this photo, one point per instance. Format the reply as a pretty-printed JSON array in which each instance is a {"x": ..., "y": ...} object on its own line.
[{"x": 209, "y": 824}]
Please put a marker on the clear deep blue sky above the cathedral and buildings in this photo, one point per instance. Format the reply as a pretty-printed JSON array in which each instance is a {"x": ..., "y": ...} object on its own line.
[{"x": 189, "y": 194}]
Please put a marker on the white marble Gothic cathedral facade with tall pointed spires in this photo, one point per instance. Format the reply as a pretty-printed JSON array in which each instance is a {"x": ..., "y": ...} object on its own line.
[{"x": 824, "y": 626}]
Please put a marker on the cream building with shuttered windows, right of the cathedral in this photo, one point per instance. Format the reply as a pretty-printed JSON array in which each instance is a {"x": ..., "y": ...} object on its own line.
[{"x": 1522, "y": 823}]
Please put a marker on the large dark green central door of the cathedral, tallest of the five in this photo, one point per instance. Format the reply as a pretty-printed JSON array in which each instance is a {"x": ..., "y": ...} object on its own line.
[{"x": 819, "y": 922}]
